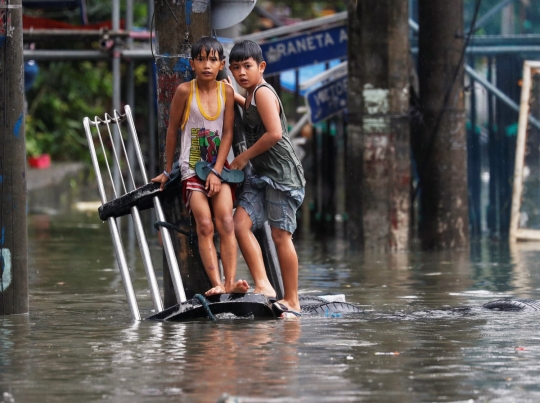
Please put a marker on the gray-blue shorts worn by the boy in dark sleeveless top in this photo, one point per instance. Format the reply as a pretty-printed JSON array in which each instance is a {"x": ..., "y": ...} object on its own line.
[{"x": 263, "y": 203}]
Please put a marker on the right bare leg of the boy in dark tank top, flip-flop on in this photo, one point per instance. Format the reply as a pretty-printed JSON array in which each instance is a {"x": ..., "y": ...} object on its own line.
[{"x": 288, "y": 260}]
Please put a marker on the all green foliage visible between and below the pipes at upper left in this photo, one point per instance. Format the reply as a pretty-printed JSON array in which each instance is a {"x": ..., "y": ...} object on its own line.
[{"x": 67, "y": 91}]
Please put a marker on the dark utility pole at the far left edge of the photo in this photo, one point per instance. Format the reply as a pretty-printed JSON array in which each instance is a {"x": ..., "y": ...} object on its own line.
[{"x": 13, "y": 233}]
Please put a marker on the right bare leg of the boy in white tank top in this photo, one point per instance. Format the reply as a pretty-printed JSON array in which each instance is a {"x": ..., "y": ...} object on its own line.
[{"x": 222, "y": 205}]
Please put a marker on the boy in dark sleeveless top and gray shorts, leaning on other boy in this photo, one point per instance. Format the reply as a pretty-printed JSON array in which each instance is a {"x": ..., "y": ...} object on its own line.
[{"x": 276, "y": 190}]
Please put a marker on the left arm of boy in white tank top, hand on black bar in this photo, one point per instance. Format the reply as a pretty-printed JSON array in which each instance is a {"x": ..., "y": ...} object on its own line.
[{"x": 178, "y": 106}]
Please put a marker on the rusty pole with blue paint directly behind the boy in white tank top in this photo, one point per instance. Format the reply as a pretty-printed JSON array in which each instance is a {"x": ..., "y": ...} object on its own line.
[{"x": 175, "y": 22}]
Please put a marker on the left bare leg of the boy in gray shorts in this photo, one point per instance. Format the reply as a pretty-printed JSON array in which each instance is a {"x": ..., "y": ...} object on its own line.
[{"x": 251, "y": 251}]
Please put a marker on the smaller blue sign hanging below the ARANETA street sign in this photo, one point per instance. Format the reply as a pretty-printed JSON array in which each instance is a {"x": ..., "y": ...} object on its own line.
[{"x": 327, "y": 100}]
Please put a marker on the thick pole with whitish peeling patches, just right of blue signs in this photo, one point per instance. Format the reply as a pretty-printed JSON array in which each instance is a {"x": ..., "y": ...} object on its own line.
[{"x": 378, "y": 170}]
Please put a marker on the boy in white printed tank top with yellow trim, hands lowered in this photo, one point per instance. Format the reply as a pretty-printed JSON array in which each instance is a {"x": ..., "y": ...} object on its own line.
[{"x": 203, "y": 110}]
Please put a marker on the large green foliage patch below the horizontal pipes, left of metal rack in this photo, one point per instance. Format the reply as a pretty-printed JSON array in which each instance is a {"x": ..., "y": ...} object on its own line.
[{"x": 64, "y": 93}]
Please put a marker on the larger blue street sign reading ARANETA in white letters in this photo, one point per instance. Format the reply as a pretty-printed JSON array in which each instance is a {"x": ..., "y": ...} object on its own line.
[{"x": 302, "y": 50}]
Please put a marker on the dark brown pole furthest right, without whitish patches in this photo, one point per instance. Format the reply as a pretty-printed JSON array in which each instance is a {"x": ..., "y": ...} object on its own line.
[{"x": 441, "y": 151}]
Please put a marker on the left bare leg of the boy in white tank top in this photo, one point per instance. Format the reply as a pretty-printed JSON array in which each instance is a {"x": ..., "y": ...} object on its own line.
[{"x": 205, "y": 236}]
